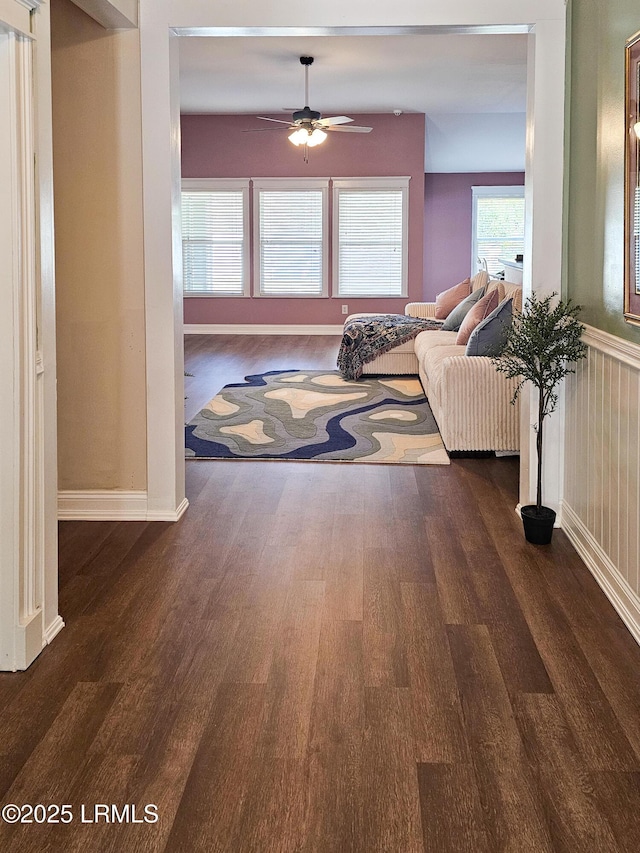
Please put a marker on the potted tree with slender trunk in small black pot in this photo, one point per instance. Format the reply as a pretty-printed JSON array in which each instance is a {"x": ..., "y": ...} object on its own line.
[{"x": 542, "y": 346}]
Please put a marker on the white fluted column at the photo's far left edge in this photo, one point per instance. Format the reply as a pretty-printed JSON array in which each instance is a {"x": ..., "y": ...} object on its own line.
[{"x": 28, "y": 518}]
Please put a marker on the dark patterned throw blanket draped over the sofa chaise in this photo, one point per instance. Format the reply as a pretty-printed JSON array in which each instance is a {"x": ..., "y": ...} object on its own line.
[{"x": 368, "y": 337}]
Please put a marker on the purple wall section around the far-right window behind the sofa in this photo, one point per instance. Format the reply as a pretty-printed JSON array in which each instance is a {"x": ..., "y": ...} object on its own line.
[{"x": 447, "y": 225}]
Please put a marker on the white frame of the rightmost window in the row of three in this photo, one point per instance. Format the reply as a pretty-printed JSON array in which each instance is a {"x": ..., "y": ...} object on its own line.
[{"x": 370, "y": 184}]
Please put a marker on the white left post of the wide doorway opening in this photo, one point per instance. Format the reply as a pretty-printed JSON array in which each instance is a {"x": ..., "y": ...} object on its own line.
[{"x": 166, "y": 499}]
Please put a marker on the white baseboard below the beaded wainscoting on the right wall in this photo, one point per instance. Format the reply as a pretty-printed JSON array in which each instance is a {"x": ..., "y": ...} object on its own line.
[{"x": 614, "y": 586}]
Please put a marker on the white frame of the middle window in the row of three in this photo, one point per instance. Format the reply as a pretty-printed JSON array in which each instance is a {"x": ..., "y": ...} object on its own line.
[{"x": 294, "y": 185}]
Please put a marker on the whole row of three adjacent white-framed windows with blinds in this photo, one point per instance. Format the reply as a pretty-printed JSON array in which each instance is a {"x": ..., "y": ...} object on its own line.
[{"x": 283, "y": 248}]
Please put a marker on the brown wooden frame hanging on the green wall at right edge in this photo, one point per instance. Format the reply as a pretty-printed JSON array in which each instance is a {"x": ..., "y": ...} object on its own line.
[{"x": 632, "y": 183}]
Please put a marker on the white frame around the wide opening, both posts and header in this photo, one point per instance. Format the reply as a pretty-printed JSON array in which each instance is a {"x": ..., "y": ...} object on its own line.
[{"x": 163, "y": 21}]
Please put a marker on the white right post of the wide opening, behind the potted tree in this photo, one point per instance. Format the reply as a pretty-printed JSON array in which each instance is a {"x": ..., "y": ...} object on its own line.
[{"x": 542, "y": 273}]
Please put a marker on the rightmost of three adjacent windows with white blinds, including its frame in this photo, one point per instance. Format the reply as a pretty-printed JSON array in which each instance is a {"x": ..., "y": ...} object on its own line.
[{"x": 370, "y": 237}]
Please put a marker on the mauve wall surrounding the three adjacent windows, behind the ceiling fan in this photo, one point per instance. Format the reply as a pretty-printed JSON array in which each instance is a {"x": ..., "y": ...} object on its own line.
[{"x": 215, "y": 146}]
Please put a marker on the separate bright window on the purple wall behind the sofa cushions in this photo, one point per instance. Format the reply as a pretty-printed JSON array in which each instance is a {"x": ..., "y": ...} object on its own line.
[{"x": 498, "y": 226}]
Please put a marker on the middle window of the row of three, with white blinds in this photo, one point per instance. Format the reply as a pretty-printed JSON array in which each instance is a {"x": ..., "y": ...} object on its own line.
[{"x": 290, "y": 237}]
